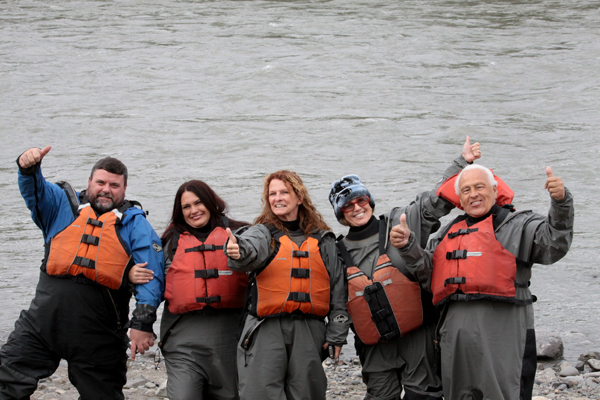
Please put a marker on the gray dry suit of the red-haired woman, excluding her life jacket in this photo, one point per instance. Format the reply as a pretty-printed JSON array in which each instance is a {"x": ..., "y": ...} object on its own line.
[{"x": 284, "y": 359}]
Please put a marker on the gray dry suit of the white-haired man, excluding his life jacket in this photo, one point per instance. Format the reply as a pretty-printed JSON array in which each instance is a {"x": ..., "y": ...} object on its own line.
[{"x": 488, "y": 347}]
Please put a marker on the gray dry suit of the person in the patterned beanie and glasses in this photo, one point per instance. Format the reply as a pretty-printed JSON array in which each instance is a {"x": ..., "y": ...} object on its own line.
[{"x": 406, "y": 360}]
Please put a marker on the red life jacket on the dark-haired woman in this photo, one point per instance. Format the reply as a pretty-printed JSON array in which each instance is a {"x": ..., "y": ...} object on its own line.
[{"x": 199, "y": 276}]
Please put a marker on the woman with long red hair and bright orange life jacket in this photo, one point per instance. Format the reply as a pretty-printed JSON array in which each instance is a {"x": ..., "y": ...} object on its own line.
[{"x": 296, "y": 281}]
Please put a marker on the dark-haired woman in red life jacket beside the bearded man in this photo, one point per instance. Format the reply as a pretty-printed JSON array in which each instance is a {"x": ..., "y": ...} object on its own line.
[{"x": 203, "y": 297}]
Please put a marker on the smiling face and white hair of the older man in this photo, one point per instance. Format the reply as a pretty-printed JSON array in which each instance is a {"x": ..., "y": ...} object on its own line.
[{"x": 477, "y": 195}]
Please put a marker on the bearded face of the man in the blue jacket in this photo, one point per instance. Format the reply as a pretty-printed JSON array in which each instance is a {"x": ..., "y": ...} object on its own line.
[{"x": 105, "y": 190}]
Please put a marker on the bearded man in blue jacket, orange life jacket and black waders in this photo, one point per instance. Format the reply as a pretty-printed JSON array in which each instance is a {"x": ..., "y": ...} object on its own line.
[{"x": 81, "y": 305}]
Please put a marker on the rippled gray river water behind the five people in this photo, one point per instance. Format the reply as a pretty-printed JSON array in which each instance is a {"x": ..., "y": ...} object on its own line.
[{"x": 228, "y": 91}]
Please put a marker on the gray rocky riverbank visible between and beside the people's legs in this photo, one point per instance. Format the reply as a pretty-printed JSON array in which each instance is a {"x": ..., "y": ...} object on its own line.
[{"x": 555, "y": 379}]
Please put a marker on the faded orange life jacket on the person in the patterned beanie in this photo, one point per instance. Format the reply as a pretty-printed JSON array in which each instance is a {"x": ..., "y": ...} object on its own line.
[{"x": 384, "y": 306}]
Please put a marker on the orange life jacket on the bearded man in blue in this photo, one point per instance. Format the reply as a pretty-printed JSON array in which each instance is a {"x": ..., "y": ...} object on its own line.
[{"x": 90, "y": 246}]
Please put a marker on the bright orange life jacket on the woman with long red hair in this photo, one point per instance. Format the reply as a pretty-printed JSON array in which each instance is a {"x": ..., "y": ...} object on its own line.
[{"x": 294, "y": 281}]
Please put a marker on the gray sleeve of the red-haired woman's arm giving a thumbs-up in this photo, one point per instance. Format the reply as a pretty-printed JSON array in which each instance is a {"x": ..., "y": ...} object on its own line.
[{"x": 255, "y": 249}]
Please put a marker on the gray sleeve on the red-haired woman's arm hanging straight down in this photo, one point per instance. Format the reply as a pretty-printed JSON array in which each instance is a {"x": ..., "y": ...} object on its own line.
[{"x": 338, "y": 317}]
